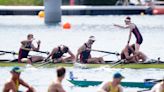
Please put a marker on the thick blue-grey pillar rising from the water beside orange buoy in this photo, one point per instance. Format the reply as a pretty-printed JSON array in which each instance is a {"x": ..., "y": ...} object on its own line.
[{"x": 53, "y": 11}]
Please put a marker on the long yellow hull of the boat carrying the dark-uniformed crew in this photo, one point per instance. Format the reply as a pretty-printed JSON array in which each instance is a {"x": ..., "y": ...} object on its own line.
[{"x": 50, "y": 65}]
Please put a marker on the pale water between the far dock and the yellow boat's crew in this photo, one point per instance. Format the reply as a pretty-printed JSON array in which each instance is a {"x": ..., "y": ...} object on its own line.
[{"x": 13, "y": 29}]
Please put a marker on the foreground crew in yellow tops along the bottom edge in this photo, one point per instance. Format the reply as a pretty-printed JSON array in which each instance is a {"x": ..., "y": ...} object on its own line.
[{"x": 56, "y": 86}]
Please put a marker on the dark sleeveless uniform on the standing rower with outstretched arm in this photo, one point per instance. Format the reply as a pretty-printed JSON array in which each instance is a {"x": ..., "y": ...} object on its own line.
[{"x": 138, "y": 35}]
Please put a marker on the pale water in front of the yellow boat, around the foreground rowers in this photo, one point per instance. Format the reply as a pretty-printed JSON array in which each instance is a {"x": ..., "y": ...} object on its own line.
[{"x": 40, "y": 78}]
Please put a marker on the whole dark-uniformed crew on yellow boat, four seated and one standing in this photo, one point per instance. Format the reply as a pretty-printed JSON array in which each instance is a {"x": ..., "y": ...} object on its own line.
[{"x": 131, "y": 52}]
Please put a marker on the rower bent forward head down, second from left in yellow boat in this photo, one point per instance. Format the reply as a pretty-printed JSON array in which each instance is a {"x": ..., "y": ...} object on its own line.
[{"x": 57, "y": 54}]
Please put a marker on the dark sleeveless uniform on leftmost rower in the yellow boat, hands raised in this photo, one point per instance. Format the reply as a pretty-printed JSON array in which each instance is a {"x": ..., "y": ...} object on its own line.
[{"x": 24, "y": 53}]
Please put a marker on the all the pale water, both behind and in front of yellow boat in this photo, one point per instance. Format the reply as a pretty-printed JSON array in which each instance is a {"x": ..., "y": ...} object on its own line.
[{"x": 13, "y": 29}]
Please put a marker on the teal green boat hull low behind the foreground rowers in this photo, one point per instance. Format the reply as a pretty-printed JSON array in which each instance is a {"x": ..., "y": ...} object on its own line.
[{"x": 86, "y": 83}]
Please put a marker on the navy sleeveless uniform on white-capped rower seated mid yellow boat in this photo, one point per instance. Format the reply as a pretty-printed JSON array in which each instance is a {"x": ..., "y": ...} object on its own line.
[{"x": 84, "y": 55}]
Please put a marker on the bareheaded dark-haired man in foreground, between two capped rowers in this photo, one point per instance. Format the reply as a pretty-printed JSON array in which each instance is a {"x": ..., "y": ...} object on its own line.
[{"x": 56, "y": 85}]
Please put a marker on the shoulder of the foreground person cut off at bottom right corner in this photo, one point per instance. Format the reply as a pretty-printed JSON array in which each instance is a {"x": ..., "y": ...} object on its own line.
[{"x": 159, "y": 87}]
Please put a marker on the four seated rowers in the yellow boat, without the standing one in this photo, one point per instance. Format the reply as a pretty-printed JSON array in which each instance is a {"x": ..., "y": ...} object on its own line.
[{"x": 83, "y": 53}]
